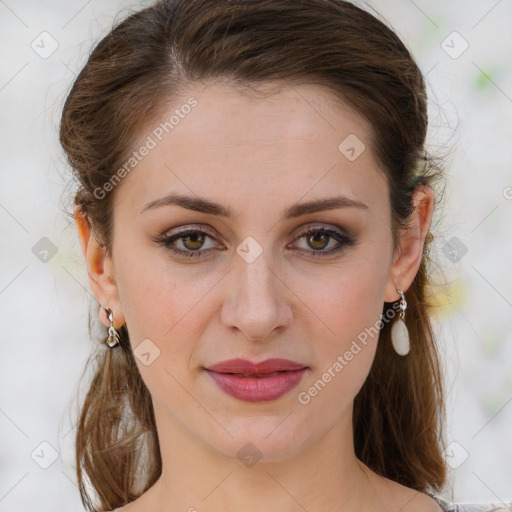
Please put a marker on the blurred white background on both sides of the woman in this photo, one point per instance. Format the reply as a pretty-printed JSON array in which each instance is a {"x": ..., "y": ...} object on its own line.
[{"x": 464, "y": 48}]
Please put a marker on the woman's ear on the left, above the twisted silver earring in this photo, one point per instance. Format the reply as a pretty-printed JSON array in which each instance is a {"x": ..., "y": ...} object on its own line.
[{"x": 100, "y": 270}]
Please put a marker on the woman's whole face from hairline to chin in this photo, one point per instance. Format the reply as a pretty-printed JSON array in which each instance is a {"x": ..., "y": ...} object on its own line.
[{"x": 252, "y": 285}]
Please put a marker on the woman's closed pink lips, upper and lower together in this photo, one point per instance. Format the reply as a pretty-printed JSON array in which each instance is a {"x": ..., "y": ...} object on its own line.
[{"x": 260, "y": 382}]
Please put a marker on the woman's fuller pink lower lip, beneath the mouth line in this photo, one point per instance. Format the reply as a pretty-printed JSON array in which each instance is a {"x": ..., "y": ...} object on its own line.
[{"x": 257, "y": 389}]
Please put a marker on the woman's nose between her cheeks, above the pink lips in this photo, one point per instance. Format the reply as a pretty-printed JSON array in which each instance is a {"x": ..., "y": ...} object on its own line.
[{"x": 258, "y": 300}]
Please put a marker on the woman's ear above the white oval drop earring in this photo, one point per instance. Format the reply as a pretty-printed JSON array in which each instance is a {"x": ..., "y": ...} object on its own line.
[{"x": 407, "y": 260}]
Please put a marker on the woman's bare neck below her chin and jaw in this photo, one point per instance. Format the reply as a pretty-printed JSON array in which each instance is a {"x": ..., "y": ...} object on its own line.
[{"x": 325, "y": 476}]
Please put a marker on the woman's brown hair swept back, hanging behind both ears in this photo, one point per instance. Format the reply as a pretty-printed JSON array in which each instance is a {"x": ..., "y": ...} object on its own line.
[{"x": 146, "y": 61}]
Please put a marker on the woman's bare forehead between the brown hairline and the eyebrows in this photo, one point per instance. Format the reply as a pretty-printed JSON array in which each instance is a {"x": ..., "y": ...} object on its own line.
[{"x": 232, "y": 146}]
